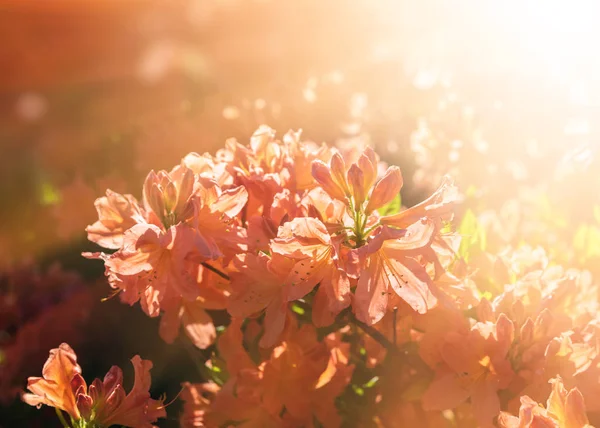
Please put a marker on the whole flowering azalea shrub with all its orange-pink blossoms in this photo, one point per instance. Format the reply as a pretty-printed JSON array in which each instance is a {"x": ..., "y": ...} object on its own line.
[{"x": 324, "y": 302}]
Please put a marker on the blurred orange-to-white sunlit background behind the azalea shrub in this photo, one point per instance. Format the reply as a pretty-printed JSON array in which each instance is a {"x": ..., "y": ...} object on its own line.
[{"x": 504, "y": 96}]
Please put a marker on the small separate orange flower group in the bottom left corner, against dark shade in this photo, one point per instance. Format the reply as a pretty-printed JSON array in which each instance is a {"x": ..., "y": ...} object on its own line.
[{"x": 104, "y": 402}]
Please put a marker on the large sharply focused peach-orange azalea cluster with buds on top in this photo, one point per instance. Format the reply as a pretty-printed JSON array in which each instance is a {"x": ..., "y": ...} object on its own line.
[{"x": 259, "y": 226}]
